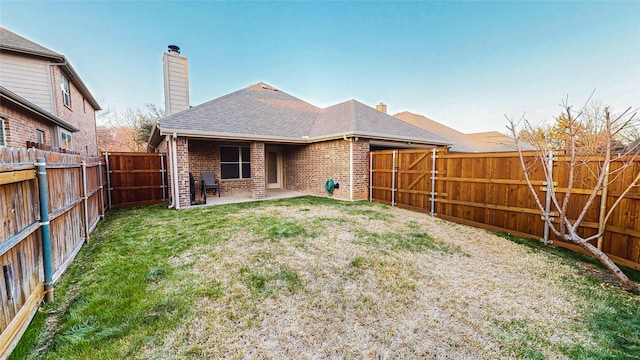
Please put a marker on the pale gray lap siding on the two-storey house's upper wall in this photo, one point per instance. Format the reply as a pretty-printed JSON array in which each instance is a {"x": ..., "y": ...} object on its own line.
[{"x": 27, "y": 77}]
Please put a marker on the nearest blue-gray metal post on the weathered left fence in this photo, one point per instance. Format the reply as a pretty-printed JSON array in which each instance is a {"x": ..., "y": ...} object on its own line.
[{"x": 41, "y": 166}]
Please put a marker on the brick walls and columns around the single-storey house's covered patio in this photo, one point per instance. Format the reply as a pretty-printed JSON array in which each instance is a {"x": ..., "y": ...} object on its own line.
[{"x": 306, "y": 168}]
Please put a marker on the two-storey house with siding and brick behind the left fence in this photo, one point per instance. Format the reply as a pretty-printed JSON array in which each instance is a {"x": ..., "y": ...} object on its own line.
[{"x": 43, "y": 103}]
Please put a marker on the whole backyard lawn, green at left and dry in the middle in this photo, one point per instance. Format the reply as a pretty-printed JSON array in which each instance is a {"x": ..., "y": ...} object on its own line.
[{"x": 318, "y": 278}]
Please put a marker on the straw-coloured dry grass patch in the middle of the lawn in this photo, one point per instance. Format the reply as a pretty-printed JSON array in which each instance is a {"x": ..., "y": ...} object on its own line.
[{"x": 322, "y": 282}]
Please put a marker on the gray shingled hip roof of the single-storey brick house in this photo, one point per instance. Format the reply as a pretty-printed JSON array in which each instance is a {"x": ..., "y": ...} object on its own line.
[{"x": 262, "y": 112}]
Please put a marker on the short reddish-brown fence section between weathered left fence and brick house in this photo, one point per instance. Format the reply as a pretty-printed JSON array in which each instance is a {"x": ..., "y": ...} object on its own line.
[{"x": 136, "y": 178}]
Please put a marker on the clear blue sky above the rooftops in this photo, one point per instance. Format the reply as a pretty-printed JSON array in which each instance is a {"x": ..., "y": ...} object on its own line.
[{"x": 465, "y": 64}]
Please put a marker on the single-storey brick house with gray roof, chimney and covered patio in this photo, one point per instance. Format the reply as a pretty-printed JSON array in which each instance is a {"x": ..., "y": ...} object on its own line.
[{"x": 260, "y": 138}]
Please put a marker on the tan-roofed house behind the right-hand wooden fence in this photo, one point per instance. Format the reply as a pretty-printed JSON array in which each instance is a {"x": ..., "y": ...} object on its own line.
[{"x": 492, "y": 141}]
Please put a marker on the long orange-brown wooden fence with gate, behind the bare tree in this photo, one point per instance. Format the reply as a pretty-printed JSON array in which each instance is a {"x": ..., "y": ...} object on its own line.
[{"x": 489, "y": 190}]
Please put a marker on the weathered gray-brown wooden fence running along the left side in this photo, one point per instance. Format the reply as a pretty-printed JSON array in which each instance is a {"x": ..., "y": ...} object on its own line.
[{"x": 76, "y": 202}]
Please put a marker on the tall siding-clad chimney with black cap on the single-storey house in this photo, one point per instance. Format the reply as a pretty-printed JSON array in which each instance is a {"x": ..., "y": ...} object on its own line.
[{"x": 176, "y": 81}]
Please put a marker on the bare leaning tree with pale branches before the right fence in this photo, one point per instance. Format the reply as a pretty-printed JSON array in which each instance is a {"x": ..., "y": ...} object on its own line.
[{"x": 589, "y": 138}]
